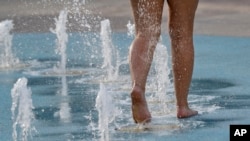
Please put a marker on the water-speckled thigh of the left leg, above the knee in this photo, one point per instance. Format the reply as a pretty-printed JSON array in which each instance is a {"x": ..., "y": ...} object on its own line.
[{"x": 147, "y": 15}]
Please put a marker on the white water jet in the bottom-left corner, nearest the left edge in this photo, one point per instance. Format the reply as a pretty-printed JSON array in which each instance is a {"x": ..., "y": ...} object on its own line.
[{"x": 22, "y": 114}]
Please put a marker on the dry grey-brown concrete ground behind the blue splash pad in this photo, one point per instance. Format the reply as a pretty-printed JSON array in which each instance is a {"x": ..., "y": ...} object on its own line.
[{"x": 213, "y": 17}]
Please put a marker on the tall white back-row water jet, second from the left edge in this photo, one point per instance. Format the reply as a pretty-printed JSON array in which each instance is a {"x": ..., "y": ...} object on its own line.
[{"x": 62, "y": 40}]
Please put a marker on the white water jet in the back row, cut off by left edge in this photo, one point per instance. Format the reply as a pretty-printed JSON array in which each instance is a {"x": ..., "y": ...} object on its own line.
[{"x": 7, "y": 59}]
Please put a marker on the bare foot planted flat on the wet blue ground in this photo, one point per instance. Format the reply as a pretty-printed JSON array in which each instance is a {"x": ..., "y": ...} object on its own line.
[{"x": 185, "y": 112}]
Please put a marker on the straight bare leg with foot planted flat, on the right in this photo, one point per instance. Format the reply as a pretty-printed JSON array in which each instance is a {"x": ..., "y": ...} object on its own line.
[{"x": 181, "y": 15}]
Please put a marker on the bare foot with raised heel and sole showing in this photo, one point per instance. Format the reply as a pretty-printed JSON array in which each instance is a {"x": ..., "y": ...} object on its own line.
[{"x": 140, "y": 110}]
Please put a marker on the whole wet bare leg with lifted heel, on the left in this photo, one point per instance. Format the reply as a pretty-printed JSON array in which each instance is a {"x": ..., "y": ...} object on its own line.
[{"x": 147, "y": 16}]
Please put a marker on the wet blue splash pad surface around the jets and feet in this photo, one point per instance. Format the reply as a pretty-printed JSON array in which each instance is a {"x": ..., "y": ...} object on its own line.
[{"x": 220, "y": 90}]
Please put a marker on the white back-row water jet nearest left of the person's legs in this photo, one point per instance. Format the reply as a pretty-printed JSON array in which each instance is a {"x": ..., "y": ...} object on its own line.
[{"x": 109, "y": 52}]
